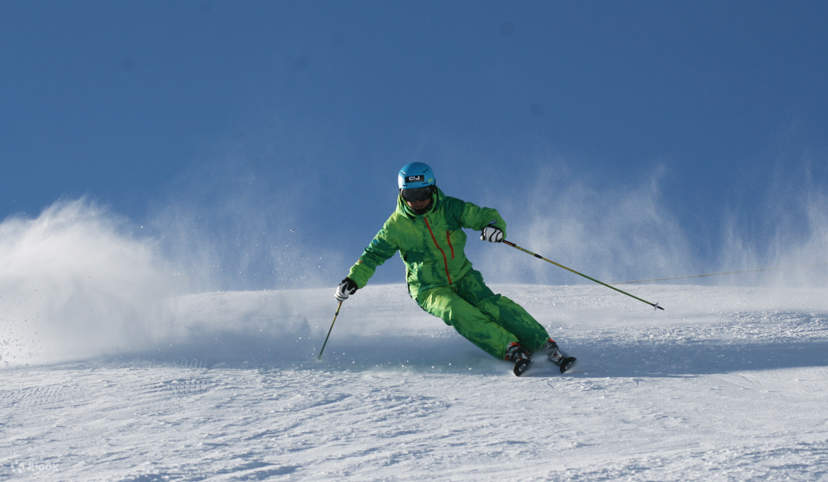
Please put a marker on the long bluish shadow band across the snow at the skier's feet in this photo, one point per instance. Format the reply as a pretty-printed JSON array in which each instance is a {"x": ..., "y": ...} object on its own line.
[{"x": 454, "y": 355}]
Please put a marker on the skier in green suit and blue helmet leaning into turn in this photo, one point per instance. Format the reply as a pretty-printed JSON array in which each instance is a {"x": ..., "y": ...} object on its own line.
[{"x": 427, "y": 229}]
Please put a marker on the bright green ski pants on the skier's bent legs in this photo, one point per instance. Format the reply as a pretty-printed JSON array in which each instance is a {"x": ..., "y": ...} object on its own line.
[{"x": 490, "y": 321}]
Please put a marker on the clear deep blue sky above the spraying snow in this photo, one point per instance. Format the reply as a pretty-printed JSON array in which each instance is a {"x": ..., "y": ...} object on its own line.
[{"x": 271, "y": 125}]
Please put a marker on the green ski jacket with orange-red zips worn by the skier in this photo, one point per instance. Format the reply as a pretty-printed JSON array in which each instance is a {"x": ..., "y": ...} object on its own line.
[{"x": 431, "y": 244}]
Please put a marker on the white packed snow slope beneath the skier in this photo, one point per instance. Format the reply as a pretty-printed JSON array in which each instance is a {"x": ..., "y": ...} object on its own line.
[{"x": 727, "y": 383}]
